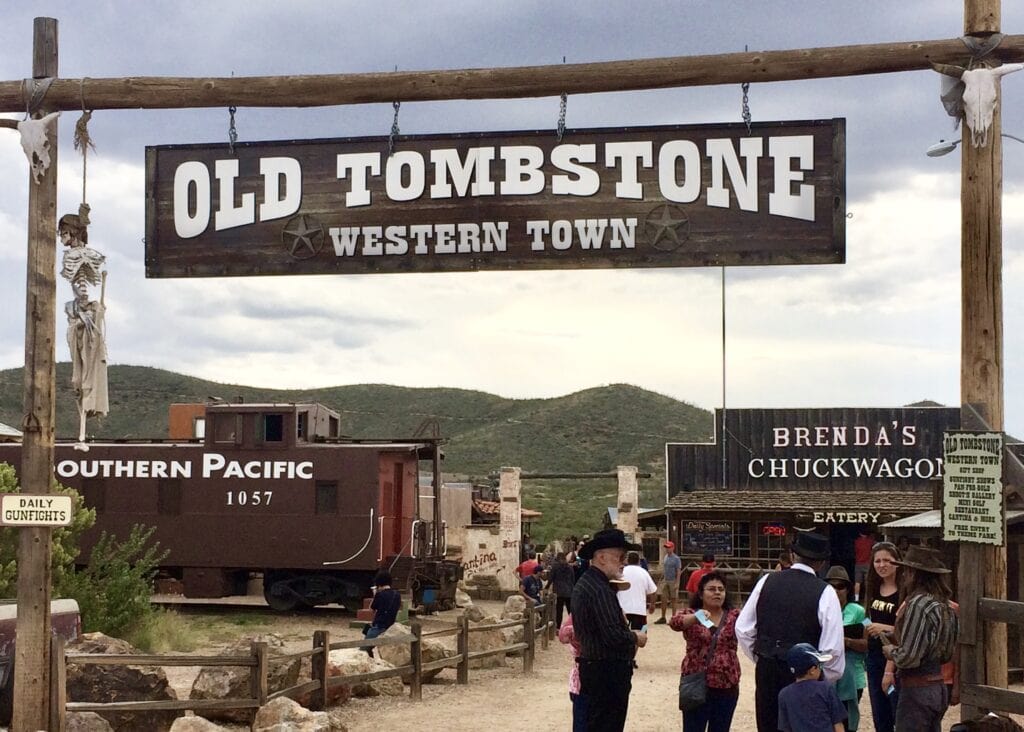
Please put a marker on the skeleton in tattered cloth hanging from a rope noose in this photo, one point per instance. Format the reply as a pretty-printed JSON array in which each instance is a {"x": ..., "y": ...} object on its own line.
[{"x": 83, "y": 268}]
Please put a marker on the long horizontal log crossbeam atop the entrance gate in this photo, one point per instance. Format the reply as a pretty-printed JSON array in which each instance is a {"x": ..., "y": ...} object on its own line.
[{"x": 326, "y": 91}]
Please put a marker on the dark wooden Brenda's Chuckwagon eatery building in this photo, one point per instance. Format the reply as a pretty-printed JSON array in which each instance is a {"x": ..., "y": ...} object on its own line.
[{"x": 842, "y": 472}]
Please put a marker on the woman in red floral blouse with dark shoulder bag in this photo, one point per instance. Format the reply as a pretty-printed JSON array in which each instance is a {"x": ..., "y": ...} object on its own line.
[{"x": 710, "y": 605}]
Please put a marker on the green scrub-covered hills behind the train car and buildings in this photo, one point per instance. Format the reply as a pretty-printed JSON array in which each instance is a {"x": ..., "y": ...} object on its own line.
[{"x": 591, "y": 430}]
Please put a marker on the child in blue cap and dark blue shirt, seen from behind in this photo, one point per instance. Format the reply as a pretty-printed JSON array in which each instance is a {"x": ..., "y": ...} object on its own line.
[{"x": 809, "y": 705}]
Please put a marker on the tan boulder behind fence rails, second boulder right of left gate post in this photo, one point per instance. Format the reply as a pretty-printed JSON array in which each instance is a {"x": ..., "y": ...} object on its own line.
[{"x": 234, "y": 682}]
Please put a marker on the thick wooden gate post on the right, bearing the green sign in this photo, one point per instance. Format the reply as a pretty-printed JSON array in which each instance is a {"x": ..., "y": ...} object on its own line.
[{"x": 984, "y": 657}]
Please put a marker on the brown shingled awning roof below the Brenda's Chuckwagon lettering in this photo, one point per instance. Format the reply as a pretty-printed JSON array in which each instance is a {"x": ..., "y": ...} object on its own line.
[{"x": 899, "y": 502}]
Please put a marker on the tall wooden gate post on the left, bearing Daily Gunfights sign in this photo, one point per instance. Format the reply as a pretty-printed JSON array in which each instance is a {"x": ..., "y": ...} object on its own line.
[{"x": 32, "y": 670}]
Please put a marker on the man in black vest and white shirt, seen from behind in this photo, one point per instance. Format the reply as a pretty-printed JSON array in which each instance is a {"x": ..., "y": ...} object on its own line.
[{"x": 787, "y": 609}]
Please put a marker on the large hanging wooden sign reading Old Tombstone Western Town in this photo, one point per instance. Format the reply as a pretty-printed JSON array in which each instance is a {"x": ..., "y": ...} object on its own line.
[{"x": 650, "y": 197}]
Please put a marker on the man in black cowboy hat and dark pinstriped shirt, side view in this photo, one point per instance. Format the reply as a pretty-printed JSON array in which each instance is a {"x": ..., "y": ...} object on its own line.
[{"x": 607, "y": 644}]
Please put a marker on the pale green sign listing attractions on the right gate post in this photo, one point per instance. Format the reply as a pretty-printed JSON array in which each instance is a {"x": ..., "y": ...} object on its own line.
[{"x": 972, "y": 501}]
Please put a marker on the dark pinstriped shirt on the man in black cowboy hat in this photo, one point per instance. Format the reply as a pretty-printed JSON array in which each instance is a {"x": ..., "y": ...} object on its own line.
[{"x": 599, "y": 623}]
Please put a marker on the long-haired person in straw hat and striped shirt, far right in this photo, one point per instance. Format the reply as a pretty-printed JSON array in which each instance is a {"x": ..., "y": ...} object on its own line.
[{"x": 928, "y": 631}]
